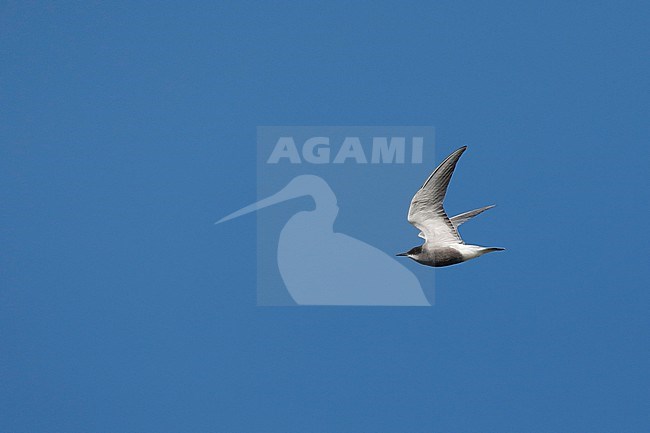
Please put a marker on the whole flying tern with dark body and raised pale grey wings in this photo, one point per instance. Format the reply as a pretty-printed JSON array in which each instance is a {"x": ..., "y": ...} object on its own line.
[{"x": 443, "y": 245}]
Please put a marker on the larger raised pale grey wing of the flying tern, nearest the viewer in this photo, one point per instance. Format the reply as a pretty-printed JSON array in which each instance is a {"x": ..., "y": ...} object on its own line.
[{"x": 426, "y": 211}]
